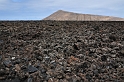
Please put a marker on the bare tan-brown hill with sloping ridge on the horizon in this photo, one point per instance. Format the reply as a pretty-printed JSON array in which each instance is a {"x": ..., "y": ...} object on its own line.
[{"x": 65, "y": 15}]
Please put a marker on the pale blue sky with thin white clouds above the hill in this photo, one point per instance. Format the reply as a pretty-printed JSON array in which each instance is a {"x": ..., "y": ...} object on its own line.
[{"x": 39, "y": 9}]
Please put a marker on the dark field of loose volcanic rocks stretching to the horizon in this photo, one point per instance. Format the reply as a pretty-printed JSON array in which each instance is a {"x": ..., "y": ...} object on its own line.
[{"x": 61, "y": 51}]
